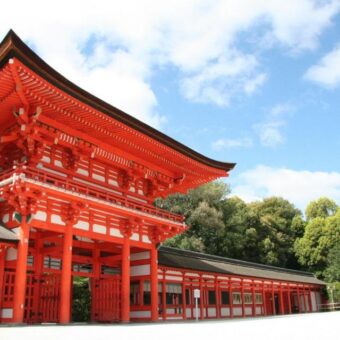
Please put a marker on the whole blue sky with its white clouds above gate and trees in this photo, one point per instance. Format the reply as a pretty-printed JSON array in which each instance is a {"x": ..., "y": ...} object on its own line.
[{"x": 253, "y": 82}]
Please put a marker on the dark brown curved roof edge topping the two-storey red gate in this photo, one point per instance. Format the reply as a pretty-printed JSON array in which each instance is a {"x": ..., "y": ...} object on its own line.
[{"x": 12, "y": 46}]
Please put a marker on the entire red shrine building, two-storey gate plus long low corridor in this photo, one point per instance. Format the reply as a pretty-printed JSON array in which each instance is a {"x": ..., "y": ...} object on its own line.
[{"x": 77, "y": 181}]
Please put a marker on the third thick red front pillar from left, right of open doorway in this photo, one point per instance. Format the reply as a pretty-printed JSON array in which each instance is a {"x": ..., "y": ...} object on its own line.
[{"x": 125, "y": 295}]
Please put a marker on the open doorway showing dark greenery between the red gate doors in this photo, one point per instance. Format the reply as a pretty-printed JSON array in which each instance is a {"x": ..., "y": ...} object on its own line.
[{"x": 81, "y": 299}]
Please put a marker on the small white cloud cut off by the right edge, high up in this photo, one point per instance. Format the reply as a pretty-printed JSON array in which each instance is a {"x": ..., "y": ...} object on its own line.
[{"x": 327, "y": 71}]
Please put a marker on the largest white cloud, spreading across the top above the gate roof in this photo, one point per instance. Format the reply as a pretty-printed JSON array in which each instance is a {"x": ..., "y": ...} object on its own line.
[{"x": 132, "y": 39}]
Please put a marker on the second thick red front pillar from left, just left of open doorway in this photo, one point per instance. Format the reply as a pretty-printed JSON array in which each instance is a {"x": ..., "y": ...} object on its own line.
[{"x": 66, "y": 277}]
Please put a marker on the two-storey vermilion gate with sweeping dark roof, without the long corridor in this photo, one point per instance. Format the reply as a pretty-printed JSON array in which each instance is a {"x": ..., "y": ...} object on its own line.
[{"x": 78, "y": 179}]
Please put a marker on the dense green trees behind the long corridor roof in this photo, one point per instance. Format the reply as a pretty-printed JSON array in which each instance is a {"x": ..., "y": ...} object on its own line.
[{"x": 272, "y": 231}]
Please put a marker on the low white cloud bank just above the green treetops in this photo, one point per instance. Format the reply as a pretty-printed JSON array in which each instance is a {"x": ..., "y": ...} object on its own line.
[{"x": 299, "y": 187}]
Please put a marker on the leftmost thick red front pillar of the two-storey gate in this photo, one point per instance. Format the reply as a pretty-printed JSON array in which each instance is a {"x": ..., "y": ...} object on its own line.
[{"x": 21, "y": 273}]
